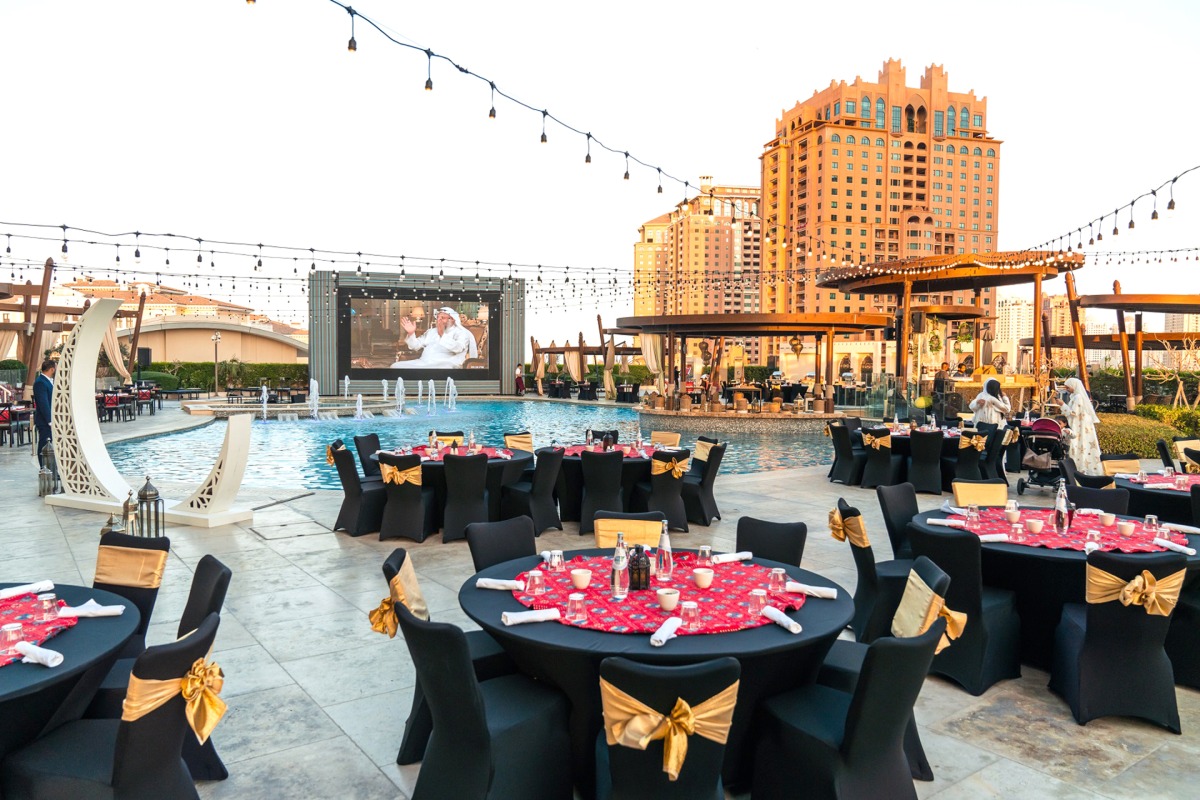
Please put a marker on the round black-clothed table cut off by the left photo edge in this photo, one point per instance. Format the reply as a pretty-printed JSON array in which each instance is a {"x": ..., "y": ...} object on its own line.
[{"x": 35, "y": 700}]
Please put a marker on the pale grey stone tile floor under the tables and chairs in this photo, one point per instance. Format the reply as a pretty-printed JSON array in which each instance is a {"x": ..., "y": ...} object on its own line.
[{"x": 317, "y": 701}]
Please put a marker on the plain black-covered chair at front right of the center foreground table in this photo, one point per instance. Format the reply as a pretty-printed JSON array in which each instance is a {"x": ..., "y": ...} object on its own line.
[{"x": 839, "y": 744}]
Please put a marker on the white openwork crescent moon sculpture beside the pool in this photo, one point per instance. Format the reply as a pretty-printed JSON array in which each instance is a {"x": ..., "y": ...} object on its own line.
[{"x": 91, "y": 480}]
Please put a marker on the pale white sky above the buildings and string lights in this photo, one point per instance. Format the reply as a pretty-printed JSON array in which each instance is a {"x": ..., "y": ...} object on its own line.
[{"x": 230, "y": 122}]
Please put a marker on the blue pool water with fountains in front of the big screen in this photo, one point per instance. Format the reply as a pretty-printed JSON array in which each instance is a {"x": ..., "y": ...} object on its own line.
[{"x": 293, "y": 454}]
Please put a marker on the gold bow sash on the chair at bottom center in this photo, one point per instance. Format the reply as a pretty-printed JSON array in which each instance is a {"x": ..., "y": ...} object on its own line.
[{"x": 632, "y": 724}]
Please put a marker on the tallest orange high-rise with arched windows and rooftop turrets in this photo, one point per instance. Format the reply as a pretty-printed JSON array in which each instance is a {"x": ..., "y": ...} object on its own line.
[{"x": 866, "y": 173}]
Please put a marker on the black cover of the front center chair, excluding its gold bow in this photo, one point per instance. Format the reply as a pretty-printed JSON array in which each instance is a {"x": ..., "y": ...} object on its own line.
[{"x": 633, "y": 774}]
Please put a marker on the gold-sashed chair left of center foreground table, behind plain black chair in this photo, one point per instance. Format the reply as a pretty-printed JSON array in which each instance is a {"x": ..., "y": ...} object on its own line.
[{"x": 488, "y": 658}]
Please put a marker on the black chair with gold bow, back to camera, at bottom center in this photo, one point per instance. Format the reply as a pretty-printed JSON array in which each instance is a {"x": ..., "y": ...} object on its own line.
[{"x": 627, "y": 768}]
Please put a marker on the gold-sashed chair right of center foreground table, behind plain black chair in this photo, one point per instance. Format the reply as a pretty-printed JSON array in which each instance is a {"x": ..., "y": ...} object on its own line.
[{"x": 925, "y": 597}]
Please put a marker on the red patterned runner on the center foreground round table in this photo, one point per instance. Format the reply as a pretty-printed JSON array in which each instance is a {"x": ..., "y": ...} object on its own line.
[{"x": 724, "y": 606}]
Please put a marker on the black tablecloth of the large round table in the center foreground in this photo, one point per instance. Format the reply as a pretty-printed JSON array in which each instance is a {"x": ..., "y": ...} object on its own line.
[{"x": 569, "y": 658}]
